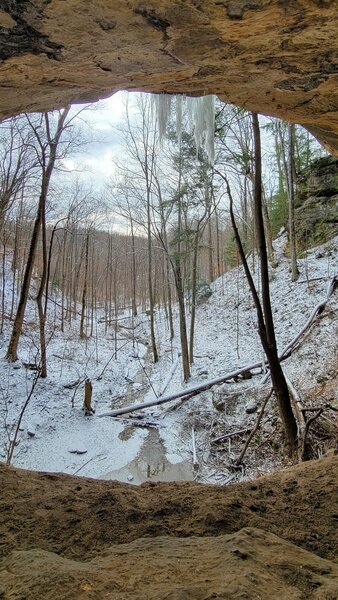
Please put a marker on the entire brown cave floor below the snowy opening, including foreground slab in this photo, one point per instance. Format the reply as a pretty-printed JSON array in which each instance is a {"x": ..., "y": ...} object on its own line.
[{"x": 71, "y": 537}]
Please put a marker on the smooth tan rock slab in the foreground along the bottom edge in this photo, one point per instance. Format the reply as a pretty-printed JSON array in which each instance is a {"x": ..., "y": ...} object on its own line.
[{"x": 248, "y": 564}]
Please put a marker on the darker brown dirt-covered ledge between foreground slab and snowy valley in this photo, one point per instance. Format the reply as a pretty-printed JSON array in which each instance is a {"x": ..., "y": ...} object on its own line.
[{"x": 80, "y": 518}]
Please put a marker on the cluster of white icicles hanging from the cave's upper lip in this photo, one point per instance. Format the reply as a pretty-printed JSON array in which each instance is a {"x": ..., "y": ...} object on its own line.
[{"x": 201, "y": 113}]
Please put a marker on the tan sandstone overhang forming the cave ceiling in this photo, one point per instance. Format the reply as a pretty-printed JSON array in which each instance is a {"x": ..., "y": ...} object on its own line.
[{"x": 270, "y": 56}]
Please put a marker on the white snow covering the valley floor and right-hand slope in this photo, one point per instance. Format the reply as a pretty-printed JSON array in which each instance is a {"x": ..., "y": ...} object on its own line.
[{"x": 157, "y": 443}]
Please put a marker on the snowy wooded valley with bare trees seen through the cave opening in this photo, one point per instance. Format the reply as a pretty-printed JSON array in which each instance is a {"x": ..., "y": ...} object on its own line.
[{"x": 183, "y": 277}]
